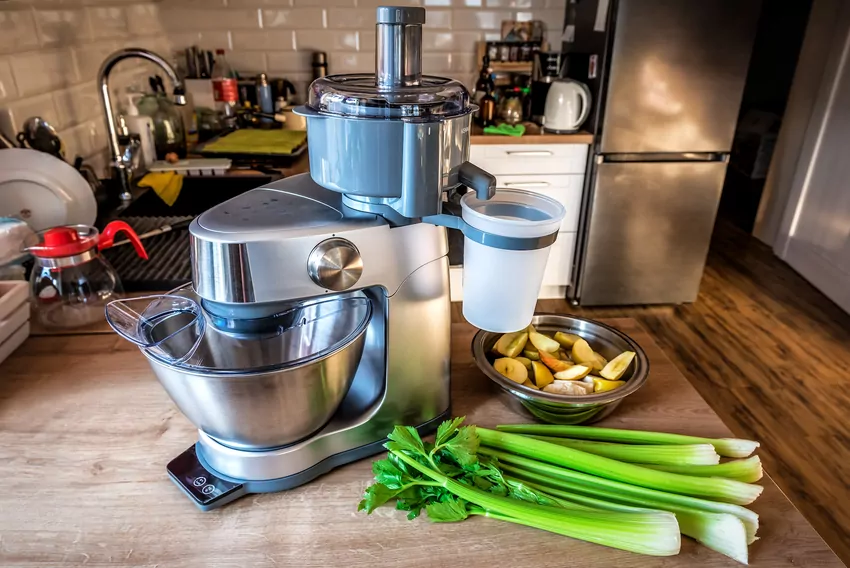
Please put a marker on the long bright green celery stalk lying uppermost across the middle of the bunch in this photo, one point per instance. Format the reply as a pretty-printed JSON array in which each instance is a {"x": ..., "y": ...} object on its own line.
[{"x": 712, "y": 487}]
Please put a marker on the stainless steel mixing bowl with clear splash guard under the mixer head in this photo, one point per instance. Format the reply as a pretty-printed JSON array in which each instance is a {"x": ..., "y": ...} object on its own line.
[{"x": 249, "y": 391}]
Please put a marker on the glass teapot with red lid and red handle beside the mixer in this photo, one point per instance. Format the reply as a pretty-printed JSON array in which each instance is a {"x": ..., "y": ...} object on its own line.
[{"x": 71, "y": 282}]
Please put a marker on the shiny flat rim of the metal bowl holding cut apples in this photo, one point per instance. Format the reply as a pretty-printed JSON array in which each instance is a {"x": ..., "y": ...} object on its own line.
[{"x": 638, "y": 378}]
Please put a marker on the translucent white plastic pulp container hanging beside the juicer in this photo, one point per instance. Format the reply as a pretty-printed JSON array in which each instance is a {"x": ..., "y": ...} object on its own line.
[{"x": 500, "y": 286}]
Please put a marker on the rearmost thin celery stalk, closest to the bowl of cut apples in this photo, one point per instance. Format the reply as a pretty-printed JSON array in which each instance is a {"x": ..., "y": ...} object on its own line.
[{"x": 727, "y": 447}]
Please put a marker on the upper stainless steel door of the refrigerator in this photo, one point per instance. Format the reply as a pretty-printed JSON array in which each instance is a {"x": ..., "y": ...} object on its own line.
[{"x": 677, "y": 74}]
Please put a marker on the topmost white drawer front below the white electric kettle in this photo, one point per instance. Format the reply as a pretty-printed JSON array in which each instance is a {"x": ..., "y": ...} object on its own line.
[{"x": 530, "y": 158}]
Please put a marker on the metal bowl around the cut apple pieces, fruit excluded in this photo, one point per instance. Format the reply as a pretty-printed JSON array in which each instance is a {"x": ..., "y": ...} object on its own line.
[{"x": 563, "y": 409}]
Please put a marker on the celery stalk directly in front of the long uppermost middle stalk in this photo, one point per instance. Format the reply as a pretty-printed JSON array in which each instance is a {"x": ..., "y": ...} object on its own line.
[{"x": 615, "y": 490}]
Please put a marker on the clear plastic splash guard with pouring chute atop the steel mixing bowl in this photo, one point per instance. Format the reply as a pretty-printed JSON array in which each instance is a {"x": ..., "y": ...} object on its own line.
[{"x": 176, "y": 331}]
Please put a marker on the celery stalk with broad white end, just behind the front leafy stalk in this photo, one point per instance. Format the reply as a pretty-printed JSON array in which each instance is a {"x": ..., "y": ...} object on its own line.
[{"x": 722, "y": 532}]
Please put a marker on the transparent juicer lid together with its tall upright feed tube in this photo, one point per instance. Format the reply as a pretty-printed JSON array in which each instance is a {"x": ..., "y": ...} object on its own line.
[{"x": 397, "y": 89}]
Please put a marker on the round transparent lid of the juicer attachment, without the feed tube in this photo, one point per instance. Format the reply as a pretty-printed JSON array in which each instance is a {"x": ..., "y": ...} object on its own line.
[{"x": 357, "y": 95}]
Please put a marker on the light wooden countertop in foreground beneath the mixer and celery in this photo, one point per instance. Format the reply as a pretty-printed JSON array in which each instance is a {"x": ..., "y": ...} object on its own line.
[{"x": 86, "y": 432}]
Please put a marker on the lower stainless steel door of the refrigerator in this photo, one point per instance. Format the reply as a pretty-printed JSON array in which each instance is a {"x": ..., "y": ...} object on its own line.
[{"x": 649, "y": 231}]
